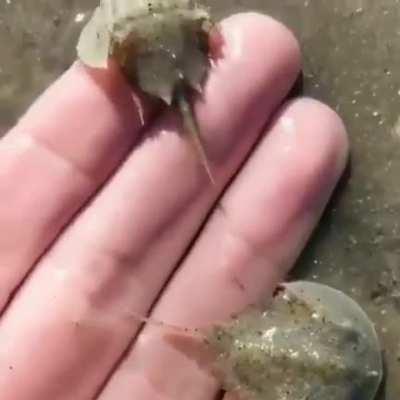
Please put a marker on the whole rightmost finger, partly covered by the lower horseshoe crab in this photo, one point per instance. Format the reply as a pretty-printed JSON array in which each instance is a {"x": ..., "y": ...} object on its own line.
[{"x": 271, "y": 209}]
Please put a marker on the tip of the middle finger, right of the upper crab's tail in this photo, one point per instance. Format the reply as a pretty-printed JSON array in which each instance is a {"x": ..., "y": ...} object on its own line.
[{"x": 259, "y": 63}]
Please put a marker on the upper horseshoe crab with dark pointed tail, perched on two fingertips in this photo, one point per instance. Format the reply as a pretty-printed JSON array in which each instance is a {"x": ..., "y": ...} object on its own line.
[{"x": 161, "y": 45}]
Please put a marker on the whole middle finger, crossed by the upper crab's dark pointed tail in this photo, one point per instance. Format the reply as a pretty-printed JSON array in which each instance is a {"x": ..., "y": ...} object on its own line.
[{"x": 117, "y": 255}]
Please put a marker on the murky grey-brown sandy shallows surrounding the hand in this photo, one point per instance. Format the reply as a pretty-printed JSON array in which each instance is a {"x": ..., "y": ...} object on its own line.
[{"x": 351, "y": 56}]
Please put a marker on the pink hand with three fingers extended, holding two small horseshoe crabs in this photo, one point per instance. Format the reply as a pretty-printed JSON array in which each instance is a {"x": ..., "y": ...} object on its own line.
[{"x": 102, "y": 210}]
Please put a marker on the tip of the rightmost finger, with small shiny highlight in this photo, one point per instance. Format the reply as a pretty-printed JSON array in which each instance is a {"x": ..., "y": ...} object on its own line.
[{"x": 293, "y": 172}]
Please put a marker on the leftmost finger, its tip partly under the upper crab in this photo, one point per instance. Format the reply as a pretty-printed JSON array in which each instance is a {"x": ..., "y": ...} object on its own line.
[{"x": 56, "y": 157}]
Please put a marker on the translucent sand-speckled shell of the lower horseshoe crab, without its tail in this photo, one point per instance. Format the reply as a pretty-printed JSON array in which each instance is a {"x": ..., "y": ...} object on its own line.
[{"x": 312, "y": 342}]
